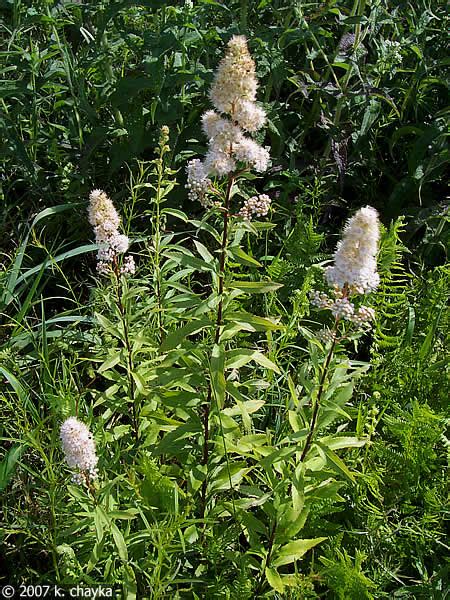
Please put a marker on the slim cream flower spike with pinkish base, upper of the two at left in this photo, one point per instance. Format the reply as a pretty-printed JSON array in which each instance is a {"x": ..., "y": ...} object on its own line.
[{"x": 104, "y": 219}]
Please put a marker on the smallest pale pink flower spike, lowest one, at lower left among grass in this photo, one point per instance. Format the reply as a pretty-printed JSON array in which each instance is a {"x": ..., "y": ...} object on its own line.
[{"x": 79, "y": 449}]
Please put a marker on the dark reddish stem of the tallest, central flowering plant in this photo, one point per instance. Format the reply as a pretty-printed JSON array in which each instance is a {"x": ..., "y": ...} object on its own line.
[{"x": 219, "y": 318}]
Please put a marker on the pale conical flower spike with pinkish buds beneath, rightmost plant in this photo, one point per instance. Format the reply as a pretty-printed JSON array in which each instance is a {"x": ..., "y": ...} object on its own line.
[{"x": 354, "y": 270}]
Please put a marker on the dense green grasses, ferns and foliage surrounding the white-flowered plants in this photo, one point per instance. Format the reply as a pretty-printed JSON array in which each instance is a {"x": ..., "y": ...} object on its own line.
[{"x": 358, "y": 114}]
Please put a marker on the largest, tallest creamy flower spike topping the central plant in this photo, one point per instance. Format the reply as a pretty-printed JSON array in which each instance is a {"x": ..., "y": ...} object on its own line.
[{"x": 233, "y": 95}]
